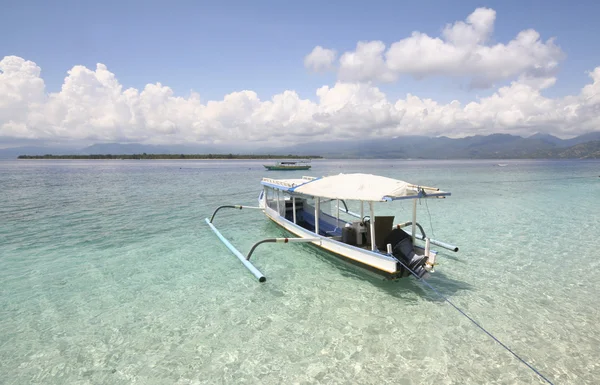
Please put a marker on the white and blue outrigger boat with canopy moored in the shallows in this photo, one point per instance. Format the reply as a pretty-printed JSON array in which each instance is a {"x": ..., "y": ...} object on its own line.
[{"x": 315, "y": 210}]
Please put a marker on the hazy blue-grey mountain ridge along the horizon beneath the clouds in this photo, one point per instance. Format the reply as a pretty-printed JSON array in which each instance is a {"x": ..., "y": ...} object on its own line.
[{"x": 495, "y": 146}]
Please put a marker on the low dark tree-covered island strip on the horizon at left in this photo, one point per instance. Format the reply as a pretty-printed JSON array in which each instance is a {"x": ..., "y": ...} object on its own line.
[{"x": 167, "y": 156}]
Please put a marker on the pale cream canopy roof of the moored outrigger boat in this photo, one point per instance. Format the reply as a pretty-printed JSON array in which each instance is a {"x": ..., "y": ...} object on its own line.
[{"x": 361, "y": 187}]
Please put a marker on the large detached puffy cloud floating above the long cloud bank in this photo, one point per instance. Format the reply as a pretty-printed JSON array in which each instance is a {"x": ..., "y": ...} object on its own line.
[{"x": 463, "y": 50}]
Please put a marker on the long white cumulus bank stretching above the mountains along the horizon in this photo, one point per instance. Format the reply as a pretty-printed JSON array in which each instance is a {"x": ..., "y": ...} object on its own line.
[{"x": 92, "y": 106}]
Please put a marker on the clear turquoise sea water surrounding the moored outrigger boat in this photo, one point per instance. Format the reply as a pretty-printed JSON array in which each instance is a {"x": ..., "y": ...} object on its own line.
[{"x": 109, "y": 275}]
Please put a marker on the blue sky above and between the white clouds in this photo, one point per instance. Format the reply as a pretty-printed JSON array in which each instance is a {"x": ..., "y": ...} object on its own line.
[{"x": 216, "y": 48}]
